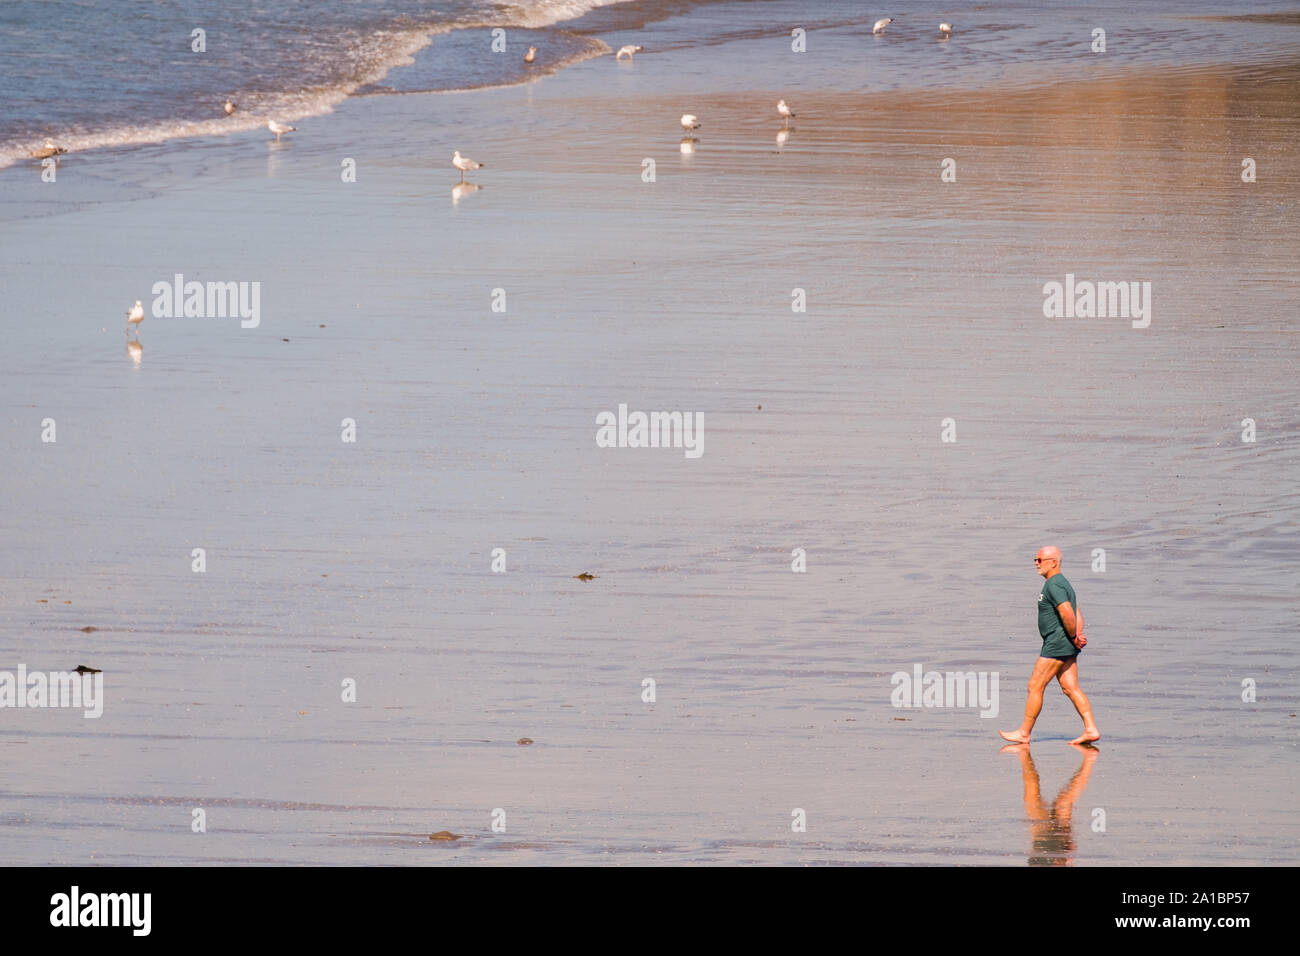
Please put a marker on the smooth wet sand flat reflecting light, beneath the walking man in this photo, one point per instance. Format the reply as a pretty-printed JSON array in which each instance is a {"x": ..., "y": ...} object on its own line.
[{"x": 476, "y": 431}]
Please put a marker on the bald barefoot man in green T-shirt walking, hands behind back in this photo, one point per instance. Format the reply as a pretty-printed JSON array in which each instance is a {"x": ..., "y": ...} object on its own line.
[{"x": 1061, "y": 629}]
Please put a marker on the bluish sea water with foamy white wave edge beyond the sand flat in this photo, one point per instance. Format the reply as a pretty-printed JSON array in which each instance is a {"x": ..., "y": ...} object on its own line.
[{"x": 89, "y": 77}]
